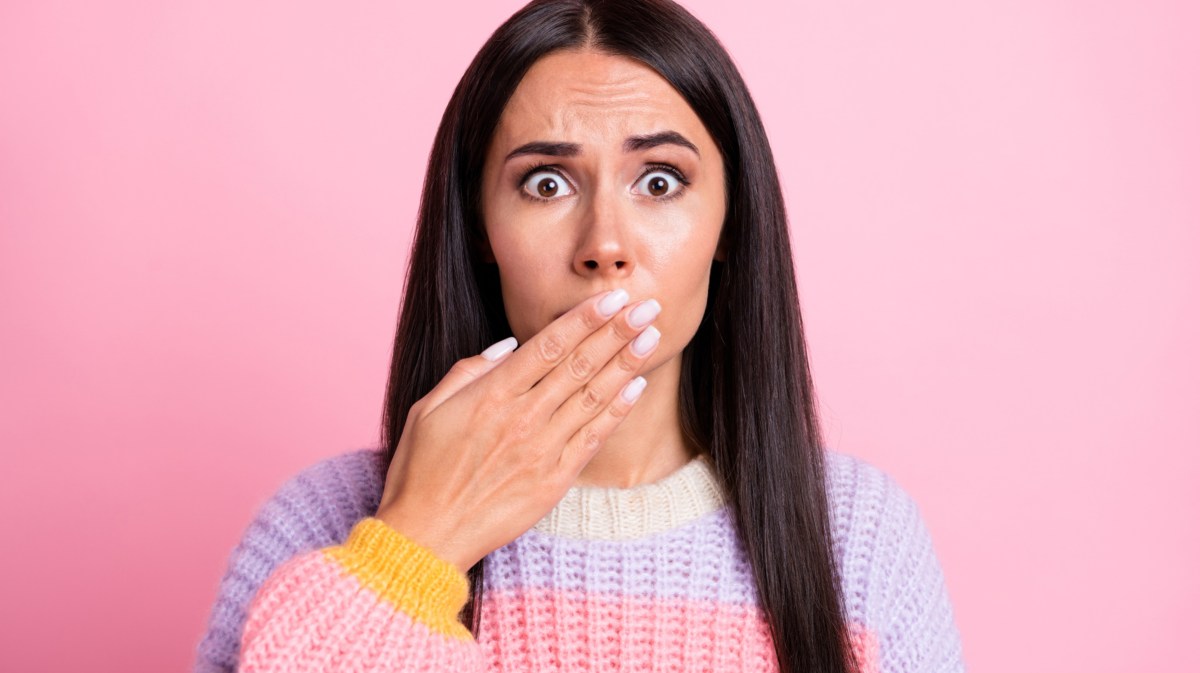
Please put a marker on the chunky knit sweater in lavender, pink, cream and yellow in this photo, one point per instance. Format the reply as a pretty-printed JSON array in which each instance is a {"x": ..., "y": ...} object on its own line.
[{"x": 644, "y": 579}]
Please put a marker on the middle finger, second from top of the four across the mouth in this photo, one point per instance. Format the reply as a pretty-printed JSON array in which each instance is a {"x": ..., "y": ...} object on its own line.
[{"x": 596, "y": 353}]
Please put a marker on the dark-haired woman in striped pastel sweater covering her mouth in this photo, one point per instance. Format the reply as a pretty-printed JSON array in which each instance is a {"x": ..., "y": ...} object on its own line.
[{"x": 641, "y": 484}]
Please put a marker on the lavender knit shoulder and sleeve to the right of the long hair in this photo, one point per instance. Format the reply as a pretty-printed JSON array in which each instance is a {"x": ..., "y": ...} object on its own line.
[{"x": 892, "y": 580}]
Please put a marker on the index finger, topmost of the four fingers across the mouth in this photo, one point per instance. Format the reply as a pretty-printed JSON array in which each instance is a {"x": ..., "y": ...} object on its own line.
[{"x": 548, "y": 348}]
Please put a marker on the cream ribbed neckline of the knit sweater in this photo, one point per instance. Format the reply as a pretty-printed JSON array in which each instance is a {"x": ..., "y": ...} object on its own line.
[{"x": 597, "y": 513}]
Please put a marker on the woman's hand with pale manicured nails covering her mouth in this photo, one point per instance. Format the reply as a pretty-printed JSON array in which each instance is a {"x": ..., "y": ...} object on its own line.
[{"x": 499, "y": 442}]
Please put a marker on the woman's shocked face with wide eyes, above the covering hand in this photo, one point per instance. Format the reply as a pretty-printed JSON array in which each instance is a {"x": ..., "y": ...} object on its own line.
[{"x": 602, "y": 177}]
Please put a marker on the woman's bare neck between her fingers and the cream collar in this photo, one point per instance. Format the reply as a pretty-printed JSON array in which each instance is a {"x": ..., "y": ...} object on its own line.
[{"x": 650, "y": 444}]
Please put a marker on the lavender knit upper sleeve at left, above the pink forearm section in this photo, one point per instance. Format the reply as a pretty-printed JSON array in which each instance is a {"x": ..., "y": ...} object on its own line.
[{"x": 315, "y": 509}]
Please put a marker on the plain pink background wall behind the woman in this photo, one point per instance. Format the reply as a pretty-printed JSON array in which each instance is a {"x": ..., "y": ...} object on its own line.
[{"x": 206, "y": 214}]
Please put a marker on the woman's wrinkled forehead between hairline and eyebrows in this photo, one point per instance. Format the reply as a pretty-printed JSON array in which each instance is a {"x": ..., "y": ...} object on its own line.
[{"x": 591, "y": 98}]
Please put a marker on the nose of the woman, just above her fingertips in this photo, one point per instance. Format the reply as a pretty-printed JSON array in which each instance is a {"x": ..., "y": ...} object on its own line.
[{"x": 605, "y": 242}]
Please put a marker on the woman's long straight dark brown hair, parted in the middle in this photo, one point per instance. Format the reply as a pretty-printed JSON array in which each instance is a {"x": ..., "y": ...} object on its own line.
[{"x": 746, "y": 390}]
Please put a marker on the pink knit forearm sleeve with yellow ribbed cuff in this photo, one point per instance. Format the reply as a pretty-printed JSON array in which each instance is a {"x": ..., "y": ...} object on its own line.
[{"x": 377, "y": 603}]
